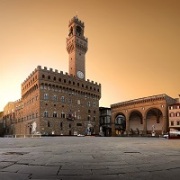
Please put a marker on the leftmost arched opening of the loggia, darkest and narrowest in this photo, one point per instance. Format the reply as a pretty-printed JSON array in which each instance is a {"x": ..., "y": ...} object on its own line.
[{"x": 120, "y": 124}]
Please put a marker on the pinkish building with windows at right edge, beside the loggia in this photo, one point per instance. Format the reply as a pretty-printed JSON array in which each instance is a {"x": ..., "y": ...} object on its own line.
[{"x": 174, "y": 116}]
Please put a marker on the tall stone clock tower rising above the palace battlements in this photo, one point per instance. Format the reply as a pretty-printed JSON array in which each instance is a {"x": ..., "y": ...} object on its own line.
[{"x": 77, "y": 48}]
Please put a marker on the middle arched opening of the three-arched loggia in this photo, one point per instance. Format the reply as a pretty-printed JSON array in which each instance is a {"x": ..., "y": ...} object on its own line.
[{"x": 135, "y": 122}]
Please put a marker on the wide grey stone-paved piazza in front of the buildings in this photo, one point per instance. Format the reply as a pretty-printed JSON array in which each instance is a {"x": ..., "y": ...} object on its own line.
[{"x": 101, "y": 158}]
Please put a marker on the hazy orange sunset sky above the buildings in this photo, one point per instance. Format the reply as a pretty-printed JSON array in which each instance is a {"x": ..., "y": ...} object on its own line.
[{"x": 133, "y": 50}]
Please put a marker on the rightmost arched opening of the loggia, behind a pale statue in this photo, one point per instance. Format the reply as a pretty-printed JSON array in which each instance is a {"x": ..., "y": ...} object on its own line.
[{"x": 154, "y": 120}]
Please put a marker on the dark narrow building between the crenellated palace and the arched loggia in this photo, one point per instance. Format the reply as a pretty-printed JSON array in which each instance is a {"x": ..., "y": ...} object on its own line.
[{"x": 105, "y": 121}]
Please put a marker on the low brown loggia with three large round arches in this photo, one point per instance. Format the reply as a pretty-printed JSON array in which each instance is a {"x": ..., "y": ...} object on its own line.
[{"x": 143, "y": 116}]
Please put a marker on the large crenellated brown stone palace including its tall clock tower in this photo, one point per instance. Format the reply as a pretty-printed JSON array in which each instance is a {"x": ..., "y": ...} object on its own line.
[{"x": 58, "y": 103}]
